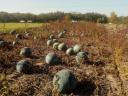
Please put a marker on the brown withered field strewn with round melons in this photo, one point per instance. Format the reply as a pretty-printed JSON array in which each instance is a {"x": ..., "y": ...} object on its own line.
[{"x": 64, "y": 59}]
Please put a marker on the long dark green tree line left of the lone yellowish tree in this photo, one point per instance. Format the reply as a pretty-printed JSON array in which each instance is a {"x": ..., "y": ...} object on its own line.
[{"x": 48, "y": 17}]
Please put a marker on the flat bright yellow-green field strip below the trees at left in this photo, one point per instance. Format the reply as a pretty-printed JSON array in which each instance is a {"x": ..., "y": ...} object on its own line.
[{"x": 11, "y": 26}]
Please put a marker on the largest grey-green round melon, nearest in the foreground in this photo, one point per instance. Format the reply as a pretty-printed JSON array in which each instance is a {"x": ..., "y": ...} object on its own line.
[{"x": 64, "y": 81}]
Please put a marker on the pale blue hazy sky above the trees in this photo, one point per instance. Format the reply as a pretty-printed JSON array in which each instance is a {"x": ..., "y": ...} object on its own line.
[{"x": 83, "y": 6}]
